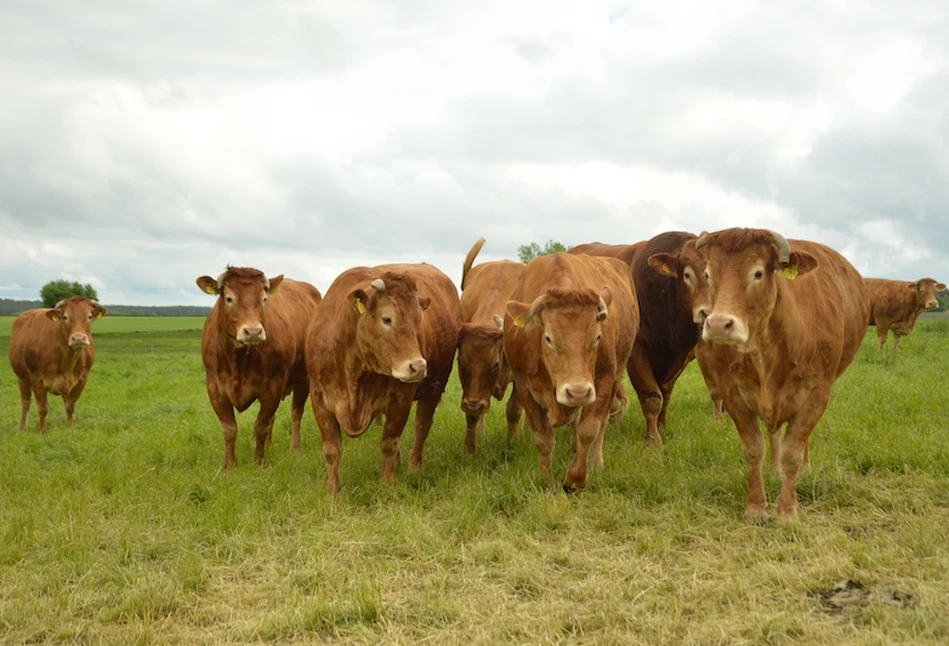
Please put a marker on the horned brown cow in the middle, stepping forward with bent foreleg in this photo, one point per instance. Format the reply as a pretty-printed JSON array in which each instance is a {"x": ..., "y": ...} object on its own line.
[{"x": 568, "y": 331}]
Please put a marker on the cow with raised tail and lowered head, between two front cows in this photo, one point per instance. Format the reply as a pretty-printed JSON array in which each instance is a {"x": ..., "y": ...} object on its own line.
[{"x": 482, "y": 368}]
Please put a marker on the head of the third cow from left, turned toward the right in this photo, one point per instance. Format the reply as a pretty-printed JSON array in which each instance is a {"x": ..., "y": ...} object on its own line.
[{"x": 390, "y": 316}]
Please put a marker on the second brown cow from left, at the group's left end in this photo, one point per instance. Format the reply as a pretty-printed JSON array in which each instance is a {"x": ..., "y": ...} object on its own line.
[{"x": 252, "y": 348}]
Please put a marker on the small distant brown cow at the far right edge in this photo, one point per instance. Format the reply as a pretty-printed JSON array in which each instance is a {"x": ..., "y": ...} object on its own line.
[{"x": 896, "y": 304}]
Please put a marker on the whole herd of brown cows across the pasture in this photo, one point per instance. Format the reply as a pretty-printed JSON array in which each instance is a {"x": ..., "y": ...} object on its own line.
[{"x": 772, "y": 323}]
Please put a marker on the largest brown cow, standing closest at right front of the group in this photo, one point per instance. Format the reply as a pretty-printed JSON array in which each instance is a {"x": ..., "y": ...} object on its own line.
[{"x": 785, "y": 319}]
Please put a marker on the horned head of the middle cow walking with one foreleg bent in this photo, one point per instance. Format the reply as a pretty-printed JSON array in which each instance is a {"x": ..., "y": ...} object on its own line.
[{"x": 569, "y": 326}]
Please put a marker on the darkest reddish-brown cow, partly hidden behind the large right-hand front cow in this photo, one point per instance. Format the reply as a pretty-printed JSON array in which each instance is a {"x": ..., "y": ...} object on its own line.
[{"x": 669, "y": 275}]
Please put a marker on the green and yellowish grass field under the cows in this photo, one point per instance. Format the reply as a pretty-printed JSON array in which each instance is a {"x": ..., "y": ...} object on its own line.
[{"x": 122, "y": 529}]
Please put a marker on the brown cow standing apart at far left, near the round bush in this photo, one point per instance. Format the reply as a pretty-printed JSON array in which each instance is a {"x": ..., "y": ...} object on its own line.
[{"x": 51, "y": 351}]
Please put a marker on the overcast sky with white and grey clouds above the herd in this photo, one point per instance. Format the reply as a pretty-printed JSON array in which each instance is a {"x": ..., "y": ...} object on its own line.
[{"x": 145, "y": 143}]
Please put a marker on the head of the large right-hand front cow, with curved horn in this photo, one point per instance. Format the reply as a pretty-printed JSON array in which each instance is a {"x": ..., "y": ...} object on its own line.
[{"x": 745, "y": 269}]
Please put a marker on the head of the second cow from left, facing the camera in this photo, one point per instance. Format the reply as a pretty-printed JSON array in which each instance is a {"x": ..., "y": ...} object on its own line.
[{"x": 242, "y": 293}]
